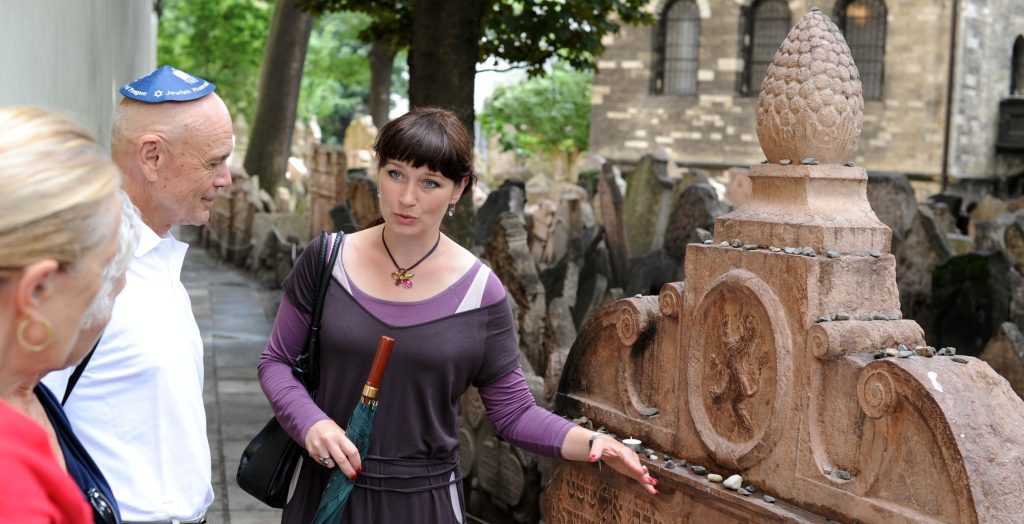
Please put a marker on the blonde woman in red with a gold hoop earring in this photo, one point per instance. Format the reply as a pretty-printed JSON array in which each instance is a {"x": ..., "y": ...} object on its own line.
[{"x": 59, "y": 232}]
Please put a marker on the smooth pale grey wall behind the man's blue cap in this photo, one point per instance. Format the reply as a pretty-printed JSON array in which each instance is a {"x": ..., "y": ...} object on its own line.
[{"x": 73, "y": 57}]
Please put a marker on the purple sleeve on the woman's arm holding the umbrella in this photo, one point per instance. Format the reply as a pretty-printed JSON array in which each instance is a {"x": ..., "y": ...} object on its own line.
[{"x": 292, "y": 405}]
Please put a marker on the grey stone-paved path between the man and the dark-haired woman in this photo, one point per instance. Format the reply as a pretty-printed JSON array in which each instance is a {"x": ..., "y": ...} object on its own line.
[{"x": 235, "y": 314}]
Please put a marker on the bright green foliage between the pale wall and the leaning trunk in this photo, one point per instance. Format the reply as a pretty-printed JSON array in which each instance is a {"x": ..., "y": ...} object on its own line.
[{"x": 221, "y": 41}]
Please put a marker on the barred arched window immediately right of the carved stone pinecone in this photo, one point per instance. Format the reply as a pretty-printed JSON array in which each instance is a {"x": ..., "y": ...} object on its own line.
[{"x": 864, "y": 25}]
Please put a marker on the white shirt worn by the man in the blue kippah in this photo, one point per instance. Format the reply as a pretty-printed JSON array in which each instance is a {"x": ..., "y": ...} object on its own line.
[{"x": 139, "y": 407}]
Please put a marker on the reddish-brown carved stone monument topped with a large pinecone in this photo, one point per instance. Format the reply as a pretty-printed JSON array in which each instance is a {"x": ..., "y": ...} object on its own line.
[{"x": 784, "y": 359}]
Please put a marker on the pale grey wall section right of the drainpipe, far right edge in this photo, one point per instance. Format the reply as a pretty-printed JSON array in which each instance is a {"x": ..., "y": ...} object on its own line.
[{"x": 984, "y": 80}]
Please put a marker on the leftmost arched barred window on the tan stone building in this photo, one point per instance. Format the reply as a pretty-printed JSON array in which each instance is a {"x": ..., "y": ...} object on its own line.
[{"x": 676, "y": 49}]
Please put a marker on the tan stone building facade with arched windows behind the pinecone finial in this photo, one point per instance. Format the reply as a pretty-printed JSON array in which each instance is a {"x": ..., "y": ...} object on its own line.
[{"x": 934, "y": 72}]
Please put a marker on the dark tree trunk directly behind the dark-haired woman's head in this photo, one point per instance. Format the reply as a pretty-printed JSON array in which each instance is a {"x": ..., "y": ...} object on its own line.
[{"x": 443, "y": 61}]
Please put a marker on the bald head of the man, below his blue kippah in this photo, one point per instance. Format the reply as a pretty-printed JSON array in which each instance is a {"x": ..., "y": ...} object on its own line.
[{"x": 175, "y": 157}]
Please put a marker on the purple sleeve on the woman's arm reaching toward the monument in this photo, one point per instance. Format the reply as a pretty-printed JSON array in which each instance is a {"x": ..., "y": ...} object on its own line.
[{"x": 518, "y": 418}]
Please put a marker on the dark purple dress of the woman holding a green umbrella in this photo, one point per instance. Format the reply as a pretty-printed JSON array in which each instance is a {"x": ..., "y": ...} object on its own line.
[{"x": 412, "y": 470}]
